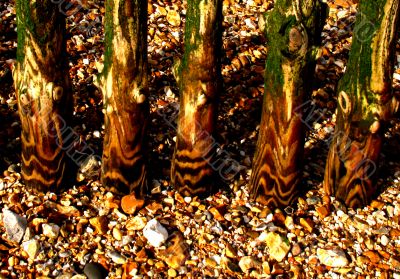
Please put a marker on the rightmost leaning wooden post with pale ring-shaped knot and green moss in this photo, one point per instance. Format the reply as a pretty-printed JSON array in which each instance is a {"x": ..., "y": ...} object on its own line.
[{"x": 365, "y": 103}]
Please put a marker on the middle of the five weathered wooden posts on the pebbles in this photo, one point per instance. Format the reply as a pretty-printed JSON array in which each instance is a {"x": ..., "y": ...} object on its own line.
[{"x": 199, "y": 83}]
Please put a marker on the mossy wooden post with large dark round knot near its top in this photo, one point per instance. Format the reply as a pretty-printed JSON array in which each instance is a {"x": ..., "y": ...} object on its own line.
[{"x": 293, "y": 34}]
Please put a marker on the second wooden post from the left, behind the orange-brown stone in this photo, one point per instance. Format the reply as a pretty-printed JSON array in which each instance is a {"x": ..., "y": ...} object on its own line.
[{"x": 124, "y": 84}]
